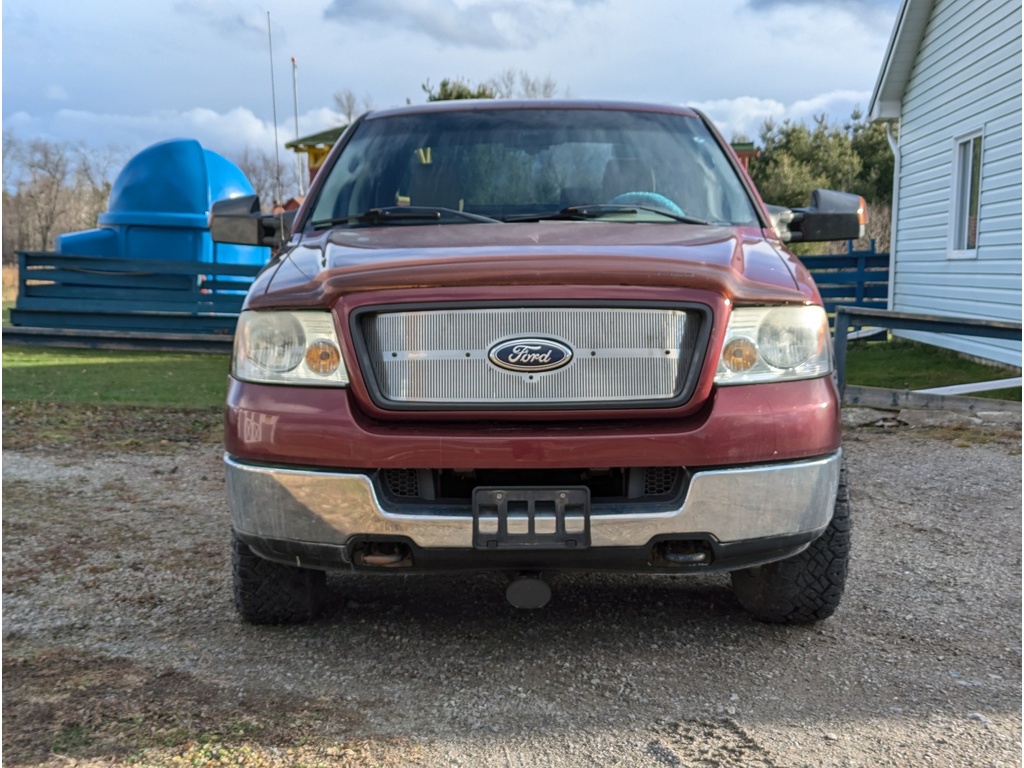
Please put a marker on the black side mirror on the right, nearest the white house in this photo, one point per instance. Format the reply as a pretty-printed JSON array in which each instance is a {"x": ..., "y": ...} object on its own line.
[{"x": 832, "y": 216}]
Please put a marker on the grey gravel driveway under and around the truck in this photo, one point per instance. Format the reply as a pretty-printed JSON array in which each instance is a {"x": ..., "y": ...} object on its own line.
[{"x": 121, "y": 645}]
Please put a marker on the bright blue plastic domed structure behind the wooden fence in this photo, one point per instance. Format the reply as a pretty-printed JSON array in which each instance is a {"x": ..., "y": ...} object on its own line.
[{"x": 159, "y": 205}]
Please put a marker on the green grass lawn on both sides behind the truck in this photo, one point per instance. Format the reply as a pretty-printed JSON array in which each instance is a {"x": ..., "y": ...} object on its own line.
[{"x": 151, "y": 401}]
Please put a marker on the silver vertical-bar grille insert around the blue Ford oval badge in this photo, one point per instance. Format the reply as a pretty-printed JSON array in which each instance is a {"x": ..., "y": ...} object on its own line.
[{"x": 441, "y": 357}]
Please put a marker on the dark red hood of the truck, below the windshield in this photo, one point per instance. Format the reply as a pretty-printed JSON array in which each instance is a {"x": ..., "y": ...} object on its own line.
[{"x": 737, "y": 263}]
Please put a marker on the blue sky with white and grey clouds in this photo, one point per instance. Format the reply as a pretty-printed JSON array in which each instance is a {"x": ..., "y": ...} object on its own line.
[{"x": 125, "y": 74}]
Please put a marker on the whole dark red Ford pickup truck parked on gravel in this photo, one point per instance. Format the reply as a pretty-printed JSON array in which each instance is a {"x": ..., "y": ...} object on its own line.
[{"x": 534, "y": 337}]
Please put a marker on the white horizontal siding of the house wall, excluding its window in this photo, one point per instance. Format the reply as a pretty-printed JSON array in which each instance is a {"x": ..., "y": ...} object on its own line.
[{"x": 967, "y": 78}]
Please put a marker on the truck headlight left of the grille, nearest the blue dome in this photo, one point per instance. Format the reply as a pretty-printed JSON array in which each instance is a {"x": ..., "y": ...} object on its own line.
[{"x": 287, "y": 348}]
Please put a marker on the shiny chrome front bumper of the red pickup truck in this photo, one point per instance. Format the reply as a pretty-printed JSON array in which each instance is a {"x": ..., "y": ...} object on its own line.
[{"x": 731, "y": 505}]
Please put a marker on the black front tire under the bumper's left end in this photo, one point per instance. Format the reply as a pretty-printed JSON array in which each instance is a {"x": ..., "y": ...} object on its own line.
[{"x": 268, "y": 592}]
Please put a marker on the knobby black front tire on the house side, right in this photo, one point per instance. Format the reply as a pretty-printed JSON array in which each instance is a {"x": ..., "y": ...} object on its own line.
[{"x": 807, "y": 587}]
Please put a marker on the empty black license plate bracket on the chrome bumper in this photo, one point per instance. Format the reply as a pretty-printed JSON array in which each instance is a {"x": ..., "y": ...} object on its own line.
[{"x": 540, "y": 519}]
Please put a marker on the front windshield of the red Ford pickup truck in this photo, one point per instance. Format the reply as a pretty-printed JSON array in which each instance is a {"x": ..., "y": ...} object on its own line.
[{"x": 525, "y": 164}]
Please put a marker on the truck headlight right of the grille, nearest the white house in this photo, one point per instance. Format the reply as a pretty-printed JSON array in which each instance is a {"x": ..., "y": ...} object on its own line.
[{"x": 775, "y": 345}]
